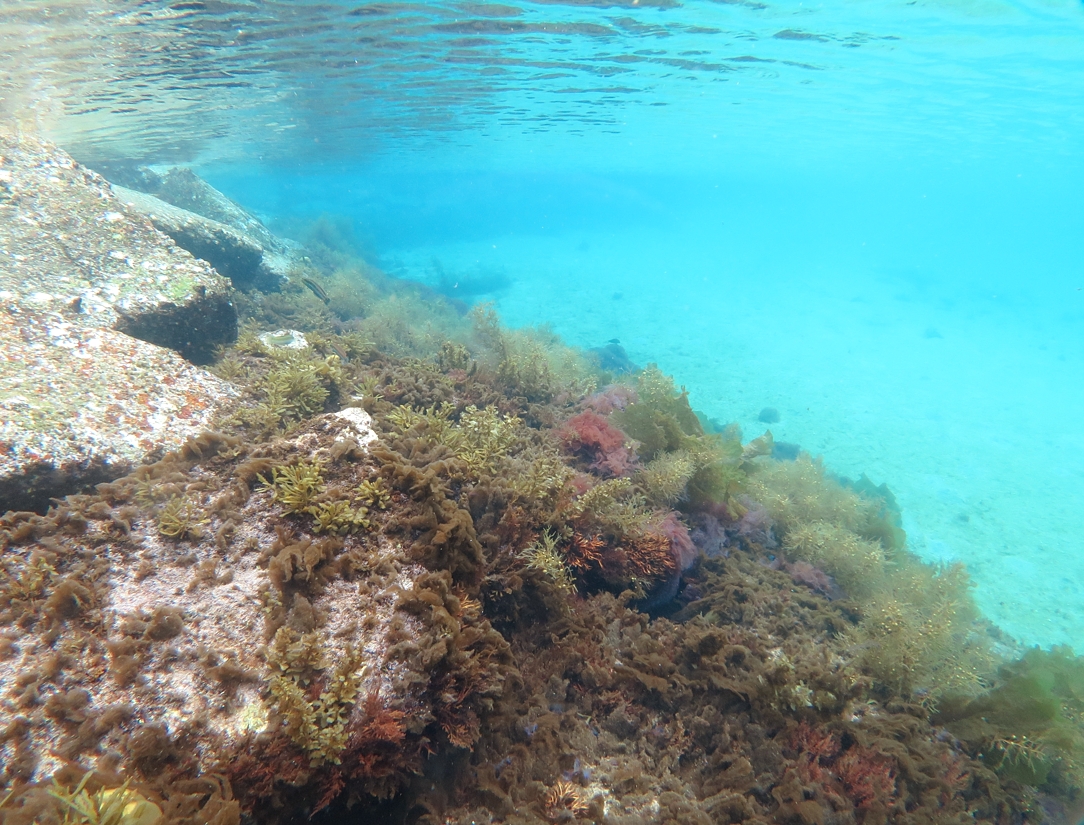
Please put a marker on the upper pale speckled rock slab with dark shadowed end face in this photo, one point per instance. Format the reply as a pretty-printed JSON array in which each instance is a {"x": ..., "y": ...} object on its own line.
[{"x": 66, "y": 235}]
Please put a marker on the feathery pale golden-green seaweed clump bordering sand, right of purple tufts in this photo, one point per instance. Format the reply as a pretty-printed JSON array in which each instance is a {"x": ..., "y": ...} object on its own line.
[{"x": 919, "y": 630}]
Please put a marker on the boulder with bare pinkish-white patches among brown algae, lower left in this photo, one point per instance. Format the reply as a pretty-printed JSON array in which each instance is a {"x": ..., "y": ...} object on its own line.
[{"x": 249, "y": 643}]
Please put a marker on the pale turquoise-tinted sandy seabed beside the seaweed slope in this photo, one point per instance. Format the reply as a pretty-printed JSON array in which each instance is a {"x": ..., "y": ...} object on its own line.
[{"x": 970, "y": 405}]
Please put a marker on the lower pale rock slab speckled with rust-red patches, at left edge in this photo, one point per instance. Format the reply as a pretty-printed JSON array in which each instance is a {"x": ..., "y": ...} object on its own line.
[{"x": 81, "y": 405}]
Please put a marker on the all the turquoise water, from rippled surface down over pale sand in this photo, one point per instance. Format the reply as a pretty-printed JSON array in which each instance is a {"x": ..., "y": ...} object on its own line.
[{"x": 867, "y": 215}]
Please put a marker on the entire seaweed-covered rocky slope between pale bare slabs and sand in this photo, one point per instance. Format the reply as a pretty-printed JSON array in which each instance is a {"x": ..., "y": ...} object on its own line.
[{"x": 432, "y": 570}]
